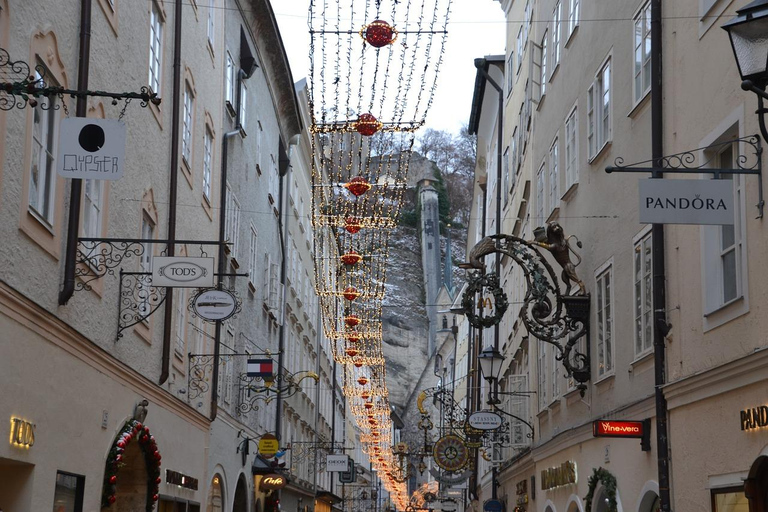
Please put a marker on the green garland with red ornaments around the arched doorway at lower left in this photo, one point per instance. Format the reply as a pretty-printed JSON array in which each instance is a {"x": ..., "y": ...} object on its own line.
[{"x": 132, "y": 430}]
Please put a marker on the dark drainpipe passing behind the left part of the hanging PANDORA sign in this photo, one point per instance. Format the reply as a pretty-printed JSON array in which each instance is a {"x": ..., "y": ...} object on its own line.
[{"x": 660, "y": 326}]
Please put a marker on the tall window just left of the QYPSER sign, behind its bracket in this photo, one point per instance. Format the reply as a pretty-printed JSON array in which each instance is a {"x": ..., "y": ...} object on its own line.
[{"x": 42, "y": 176}]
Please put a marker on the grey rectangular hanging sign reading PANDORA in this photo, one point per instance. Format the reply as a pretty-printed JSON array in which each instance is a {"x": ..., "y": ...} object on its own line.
[{"x": 686, "y": 202}]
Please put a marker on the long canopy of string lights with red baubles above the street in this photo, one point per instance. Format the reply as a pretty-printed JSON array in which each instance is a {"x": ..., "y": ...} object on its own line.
[{"x": 373, "y": 76}]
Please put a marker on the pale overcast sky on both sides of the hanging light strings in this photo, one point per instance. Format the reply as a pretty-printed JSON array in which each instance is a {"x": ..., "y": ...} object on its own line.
[{"x": 475, "y": 29}]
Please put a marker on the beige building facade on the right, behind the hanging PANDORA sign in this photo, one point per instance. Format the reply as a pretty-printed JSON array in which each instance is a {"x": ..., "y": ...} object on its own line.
[{"x": 577, "y": 96}]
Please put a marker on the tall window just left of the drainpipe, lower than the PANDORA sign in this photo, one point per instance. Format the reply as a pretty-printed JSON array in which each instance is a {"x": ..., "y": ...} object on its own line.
[{"x": 643, "y": 279}]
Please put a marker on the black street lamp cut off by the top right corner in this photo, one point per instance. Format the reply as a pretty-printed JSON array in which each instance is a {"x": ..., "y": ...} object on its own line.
[{"x": 748, "y": 32}]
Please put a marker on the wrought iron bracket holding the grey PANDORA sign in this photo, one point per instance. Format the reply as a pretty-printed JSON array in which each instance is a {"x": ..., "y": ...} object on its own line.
[{"x": 749, "y": 162}]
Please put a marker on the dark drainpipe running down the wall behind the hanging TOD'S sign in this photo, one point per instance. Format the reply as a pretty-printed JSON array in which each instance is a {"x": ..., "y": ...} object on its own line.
[{"x": 175, "y": 128}]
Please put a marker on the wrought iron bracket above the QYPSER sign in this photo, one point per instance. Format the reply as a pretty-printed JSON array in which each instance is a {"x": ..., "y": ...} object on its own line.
[{"x": 21, "y": 85}]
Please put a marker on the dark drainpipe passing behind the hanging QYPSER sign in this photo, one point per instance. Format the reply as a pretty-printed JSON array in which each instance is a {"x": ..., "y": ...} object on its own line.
[{"x": 76, "y": 186}]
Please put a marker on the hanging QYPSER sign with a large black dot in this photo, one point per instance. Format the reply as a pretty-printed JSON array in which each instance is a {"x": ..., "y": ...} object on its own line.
[{"x": 91, "y": 148}]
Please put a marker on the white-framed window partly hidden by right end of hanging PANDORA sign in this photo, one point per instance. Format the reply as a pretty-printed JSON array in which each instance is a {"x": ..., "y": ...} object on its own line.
[{"x": 724, "y": 258}]
